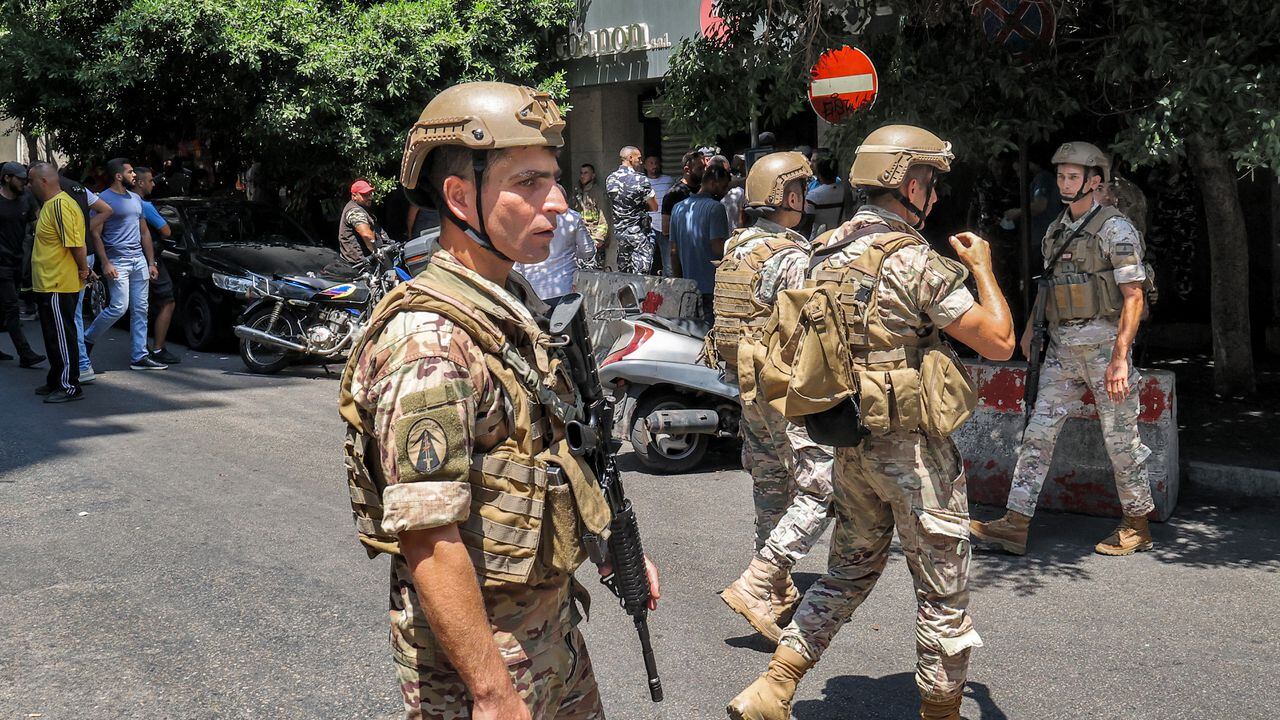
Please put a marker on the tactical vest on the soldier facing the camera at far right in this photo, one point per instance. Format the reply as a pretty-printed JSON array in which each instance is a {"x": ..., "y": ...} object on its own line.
[{"x": 1084, "y": 285}]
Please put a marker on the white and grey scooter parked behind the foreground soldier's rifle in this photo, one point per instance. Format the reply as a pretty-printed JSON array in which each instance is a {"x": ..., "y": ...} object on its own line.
[{"x": 671, "y": 403}]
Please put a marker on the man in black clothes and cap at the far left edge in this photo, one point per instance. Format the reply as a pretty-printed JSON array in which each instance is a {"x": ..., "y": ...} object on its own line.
[{"x": 17, "y": 213}]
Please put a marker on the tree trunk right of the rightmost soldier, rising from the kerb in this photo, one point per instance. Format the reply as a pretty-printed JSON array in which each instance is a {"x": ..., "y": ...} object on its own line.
[{"x": 1229, "y": 263}]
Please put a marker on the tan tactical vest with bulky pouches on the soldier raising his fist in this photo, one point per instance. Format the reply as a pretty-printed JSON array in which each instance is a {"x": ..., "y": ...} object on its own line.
[{"x": 829, "y": 344}]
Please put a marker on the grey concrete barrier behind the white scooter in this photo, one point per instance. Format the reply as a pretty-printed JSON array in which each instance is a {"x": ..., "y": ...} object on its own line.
[{"x": 668, "y": 298}]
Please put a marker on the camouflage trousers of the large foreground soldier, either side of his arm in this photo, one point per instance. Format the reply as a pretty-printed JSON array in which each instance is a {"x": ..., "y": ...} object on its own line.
[{"x": 557, "y": 685}]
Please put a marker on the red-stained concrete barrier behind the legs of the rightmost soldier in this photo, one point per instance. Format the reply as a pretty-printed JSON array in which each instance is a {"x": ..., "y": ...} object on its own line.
[{"x": 1081, "y": 477}]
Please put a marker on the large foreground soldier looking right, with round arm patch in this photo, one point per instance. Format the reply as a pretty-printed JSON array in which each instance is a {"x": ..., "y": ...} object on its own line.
[{"x": 455, "y": 411}]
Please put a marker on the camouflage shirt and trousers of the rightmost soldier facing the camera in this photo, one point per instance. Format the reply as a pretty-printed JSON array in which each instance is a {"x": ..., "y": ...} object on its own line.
[{"x": 1076, "y": 362}]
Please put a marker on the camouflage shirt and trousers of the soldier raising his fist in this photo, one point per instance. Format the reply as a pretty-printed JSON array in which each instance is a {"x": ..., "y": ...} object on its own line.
[{"x": 904, "y": 480}]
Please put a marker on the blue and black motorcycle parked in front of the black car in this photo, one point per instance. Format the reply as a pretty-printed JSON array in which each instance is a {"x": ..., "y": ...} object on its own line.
[{"x": 314, "y": 316}]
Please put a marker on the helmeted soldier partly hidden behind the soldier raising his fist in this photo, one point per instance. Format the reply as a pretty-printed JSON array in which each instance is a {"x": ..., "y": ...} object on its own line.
[{"x": 790, "y": 473}]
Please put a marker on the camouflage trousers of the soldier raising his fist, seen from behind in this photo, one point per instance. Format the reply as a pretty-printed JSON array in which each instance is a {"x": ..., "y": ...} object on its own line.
[{"x": 915, "y": 484}]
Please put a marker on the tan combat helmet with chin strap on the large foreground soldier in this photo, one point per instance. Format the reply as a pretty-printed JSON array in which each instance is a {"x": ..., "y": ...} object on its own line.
[{"x": 481, "y": 117}]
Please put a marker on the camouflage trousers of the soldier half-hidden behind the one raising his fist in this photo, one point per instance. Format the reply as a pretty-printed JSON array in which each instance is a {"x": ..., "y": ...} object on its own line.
[{"x": 790, "y": 484}]
